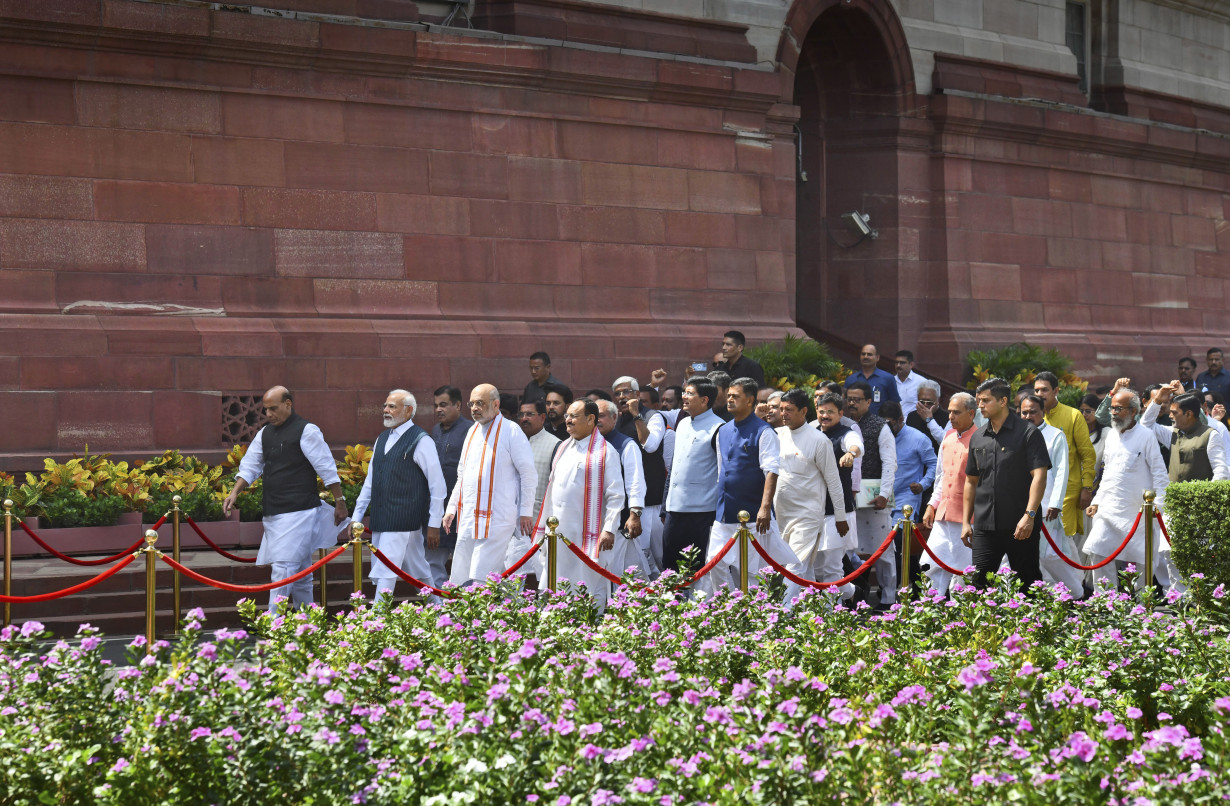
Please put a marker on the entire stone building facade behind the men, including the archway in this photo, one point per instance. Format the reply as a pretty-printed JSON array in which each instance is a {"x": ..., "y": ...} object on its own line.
[{"x": 201, "y": 200}]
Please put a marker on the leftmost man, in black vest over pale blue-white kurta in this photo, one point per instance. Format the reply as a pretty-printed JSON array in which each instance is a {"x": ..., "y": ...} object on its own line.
[{"x": 291, "y": 453}]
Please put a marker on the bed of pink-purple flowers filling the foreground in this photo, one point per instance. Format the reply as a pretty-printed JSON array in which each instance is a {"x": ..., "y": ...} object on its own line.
[{"x": 506, "y": 698}]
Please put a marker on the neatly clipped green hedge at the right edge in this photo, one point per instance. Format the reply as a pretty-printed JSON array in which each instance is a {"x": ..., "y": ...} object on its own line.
[{"x": 1199, "y": 519}]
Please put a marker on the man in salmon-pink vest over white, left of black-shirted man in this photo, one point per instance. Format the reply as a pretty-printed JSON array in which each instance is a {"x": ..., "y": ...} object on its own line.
[{"x": 943, "y": 516}]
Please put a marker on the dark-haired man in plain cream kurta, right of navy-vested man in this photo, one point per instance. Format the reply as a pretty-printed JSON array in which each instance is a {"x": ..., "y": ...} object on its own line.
[{"x": 811, "y": 498}]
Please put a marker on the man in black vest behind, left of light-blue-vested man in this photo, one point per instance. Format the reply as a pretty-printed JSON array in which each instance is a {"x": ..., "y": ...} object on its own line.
[{"x": 648, "y": 430}]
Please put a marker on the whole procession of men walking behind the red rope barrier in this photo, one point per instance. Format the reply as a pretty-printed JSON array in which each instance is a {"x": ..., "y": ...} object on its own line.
[{"x": 634, "y": 487}]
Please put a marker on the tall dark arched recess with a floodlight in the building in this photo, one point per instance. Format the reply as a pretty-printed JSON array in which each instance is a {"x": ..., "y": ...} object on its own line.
[{"x": 854, "y": 88}]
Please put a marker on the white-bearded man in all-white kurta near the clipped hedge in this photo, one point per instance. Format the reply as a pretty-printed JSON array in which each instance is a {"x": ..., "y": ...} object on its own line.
[{"x": 1132, "y": 466}]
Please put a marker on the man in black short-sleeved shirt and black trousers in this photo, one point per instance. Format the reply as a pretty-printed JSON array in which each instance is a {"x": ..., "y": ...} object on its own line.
[{"x": 1006, "y": 478}]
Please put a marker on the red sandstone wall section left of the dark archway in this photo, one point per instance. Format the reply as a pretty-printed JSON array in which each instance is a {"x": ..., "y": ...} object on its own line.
[{"x": 351, "y": 210}]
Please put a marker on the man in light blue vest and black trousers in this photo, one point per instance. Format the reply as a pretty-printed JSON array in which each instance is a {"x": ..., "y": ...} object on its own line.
[{"x": 692, "y": 488}]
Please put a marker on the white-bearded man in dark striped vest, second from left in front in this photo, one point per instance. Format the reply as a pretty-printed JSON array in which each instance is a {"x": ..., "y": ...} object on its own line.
[{"x": 404, "y": 494}]
